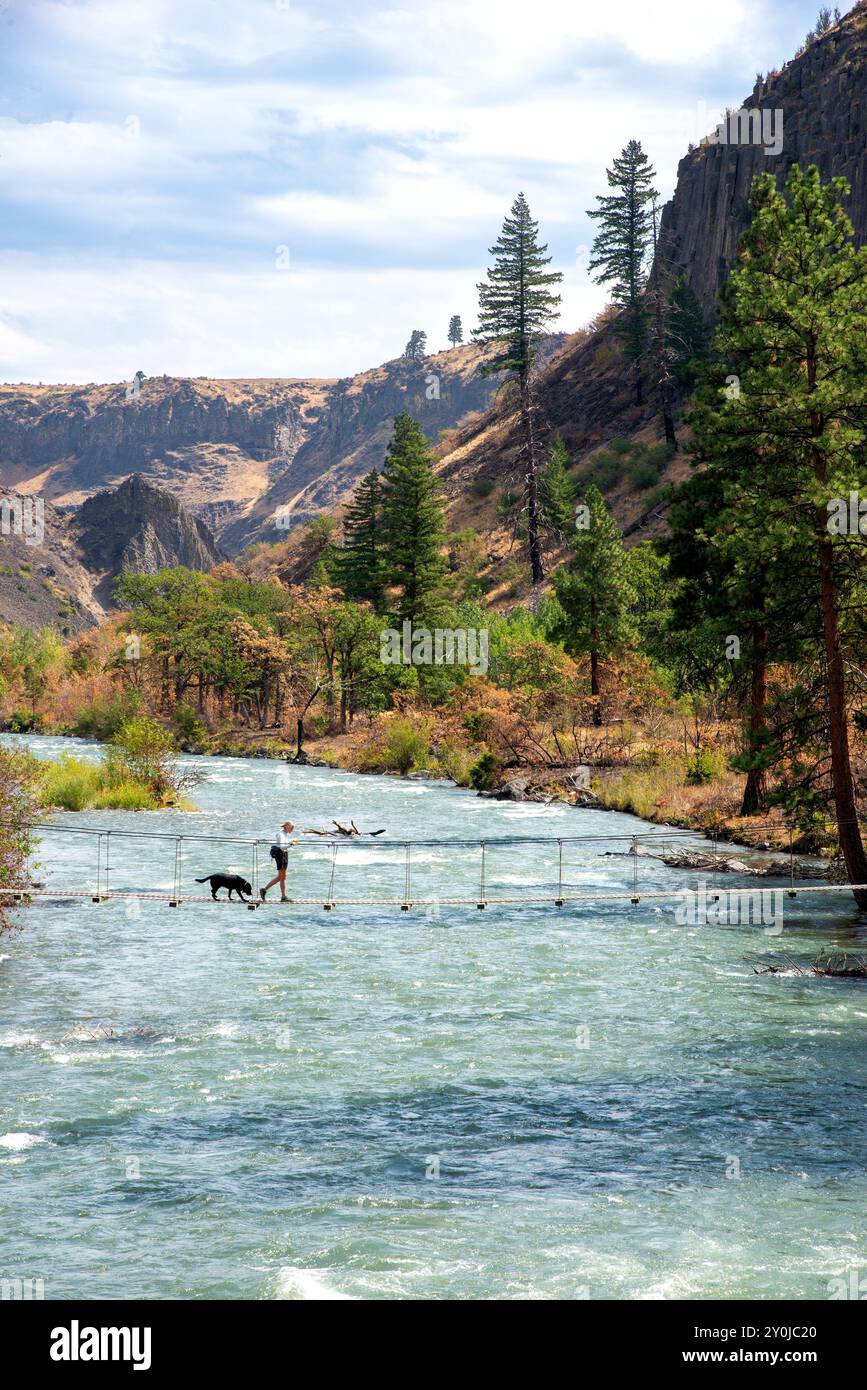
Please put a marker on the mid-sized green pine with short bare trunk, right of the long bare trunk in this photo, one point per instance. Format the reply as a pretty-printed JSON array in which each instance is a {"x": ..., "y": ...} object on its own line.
[{"x": 594, "y": 591}]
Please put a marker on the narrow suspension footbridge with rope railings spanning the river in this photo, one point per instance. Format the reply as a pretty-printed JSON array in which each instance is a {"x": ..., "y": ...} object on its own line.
[{"x": 105, "y": 853}]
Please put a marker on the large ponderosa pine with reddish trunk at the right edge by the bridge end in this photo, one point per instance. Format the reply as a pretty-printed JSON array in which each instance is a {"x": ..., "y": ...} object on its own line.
[{"x": 794, "y": 330}]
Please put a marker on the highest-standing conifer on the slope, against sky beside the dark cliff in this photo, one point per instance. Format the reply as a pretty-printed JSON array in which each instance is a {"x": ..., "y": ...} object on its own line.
[{"x": 622, "y": 245}]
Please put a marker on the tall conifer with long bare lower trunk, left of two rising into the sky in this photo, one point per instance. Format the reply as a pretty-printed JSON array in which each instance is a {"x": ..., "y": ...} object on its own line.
[{"x": 516, "y": 306}]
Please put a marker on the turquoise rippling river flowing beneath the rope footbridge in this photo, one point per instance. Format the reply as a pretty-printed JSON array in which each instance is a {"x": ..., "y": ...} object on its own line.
[{"x": 523, "y": 1103}]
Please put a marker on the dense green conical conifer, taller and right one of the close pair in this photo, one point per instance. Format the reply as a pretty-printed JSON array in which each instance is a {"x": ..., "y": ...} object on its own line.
[{"x": 413, "y": 528}]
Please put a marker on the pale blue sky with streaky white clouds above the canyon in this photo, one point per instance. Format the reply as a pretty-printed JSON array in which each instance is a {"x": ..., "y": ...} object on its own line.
[{"x": 287, "y": 188}]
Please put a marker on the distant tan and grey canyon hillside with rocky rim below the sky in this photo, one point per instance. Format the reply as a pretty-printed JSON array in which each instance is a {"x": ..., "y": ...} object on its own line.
[{"x": 241, "y": 455}]
